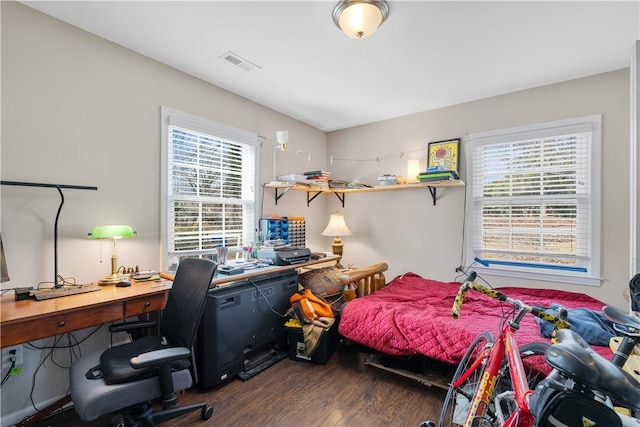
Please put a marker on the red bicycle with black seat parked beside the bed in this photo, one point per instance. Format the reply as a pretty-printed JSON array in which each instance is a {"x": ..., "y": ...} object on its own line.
[{"x": 573, "y": 394}]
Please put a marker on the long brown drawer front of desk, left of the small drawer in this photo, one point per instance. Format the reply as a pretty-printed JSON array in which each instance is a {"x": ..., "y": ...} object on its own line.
[{"x": 60, "y": 324}]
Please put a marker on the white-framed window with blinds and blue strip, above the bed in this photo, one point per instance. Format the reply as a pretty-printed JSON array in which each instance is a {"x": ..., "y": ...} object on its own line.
[{"x": 535, "y": 200}]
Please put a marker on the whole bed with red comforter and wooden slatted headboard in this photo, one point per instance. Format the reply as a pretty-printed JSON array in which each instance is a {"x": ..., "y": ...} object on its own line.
[{"x": 406, "y": 326}]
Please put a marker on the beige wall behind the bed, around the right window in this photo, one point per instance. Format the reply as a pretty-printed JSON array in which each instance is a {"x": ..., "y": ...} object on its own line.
[{"x": 404, "y": 229}]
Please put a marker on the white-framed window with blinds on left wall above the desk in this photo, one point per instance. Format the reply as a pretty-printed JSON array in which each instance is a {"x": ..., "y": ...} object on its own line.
[{"x": 209, "y": 186}]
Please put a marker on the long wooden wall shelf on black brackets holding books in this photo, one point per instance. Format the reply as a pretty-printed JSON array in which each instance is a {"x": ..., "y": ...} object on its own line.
[{"x": 281, "y": 189}]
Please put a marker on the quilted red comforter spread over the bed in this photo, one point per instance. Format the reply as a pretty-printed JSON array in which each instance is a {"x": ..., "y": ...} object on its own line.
[{"x": 412, "y": 315}]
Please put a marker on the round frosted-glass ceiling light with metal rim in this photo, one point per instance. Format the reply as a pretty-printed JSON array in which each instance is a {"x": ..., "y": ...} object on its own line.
[{"x": 359, "y": 19}]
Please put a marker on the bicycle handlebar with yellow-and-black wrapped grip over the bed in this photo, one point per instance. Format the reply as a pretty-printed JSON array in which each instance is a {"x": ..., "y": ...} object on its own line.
[{"x": 559, "y": 321}]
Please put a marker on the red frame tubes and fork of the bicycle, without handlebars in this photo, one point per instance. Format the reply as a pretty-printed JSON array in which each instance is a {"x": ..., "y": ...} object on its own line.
[{"x": 491, "y": 361}]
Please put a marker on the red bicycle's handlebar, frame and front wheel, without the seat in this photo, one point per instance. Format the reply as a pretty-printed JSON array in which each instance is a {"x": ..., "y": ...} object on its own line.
[{"x": 484, "y": 365}]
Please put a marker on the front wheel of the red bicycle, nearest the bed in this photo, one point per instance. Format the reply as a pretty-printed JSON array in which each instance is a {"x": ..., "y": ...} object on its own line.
[{"x": 456, "y": 403}]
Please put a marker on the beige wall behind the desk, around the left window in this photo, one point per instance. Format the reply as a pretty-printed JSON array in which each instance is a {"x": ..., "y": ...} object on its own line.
[{"x": 79, "y": 110}]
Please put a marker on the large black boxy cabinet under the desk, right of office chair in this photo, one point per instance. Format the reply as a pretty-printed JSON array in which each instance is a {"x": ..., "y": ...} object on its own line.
[{"x": 242, "y": 325}]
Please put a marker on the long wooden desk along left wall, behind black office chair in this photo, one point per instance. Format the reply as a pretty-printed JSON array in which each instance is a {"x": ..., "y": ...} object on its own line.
[{"x": 29, "y": 320}]
